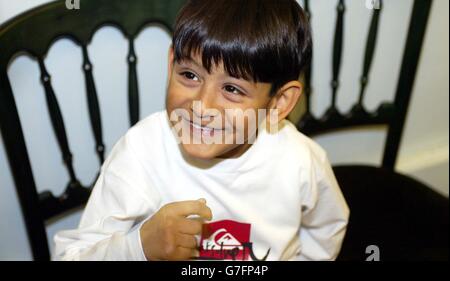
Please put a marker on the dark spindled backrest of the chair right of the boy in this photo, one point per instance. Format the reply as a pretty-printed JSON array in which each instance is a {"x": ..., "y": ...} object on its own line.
[{"x": 390, "y": 114}]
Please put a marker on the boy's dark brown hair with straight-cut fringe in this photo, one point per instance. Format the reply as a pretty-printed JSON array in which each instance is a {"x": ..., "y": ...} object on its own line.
[{"x": 262, "y": 40}]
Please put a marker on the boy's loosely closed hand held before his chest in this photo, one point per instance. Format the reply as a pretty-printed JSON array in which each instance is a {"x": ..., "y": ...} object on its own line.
[{"x": 170, "y": 235}]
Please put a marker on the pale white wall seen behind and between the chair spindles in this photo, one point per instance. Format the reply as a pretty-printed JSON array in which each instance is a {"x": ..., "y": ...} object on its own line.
[{"x": 423, "y": 153}]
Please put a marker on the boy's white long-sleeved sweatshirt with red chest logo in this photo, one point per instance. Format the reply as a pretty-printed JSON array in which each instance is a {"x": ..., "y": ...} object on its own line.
[{"x": 277, "y": 201}]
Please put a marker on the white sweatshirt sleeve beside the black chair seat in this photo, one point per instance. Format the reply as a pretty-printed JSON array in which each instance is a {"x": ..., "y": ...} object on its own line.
[{"x": 325, "y": 213}]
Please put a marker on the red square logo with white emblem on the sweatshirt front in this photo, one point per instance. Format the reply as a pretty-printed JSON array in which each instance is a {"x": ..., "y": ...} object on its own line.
[{"x": 226, "y": 239}]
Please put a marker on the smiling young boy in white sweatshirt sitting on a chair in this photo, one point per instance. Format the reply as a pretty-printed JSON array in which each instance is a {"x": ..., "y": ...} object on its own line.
[{"x": 192, "y": 182}]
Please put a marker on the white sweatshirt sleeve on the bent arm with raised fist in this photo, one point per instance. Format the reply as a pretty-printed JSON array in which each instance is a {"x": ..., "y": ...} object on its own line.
[{"x": 119, "y": 204}]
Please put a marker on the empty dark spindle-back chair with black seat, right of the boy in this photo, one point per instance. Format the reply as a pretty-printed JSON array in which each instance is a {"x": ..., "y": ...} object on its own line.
[{"x": 392, "y": 213}]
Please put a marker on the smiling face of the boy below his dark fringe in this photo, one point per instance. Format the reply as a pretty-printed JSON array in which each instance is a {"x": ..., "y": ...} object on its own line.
[{"x": 211, "y": 106}]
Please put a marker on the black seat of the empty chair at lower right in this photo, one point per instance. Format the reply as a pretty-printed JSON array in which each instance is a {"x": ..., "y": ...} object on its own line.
[{"x": 402, "y": 216}]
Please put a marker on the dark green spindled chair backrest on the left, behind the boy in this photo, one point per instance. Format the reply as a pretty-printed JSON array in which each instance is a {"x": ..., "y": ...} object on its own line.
[{"x": 34, "y": 32}]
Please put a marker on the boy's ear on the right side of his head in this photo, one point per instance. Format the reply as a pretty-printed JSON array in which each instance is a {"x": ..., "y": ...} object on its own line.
[{"x": 286, "y": 98}]
